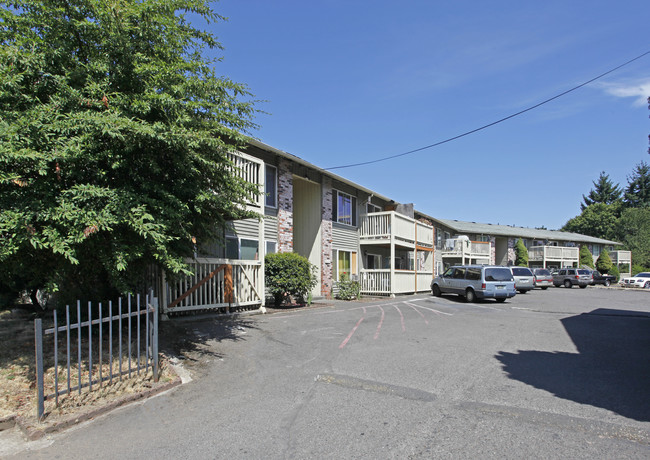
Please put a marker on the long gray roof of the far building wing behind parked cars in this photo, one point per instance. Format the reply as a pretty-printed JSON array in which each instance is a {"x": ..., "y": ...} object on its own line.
[{"x": 522, "y": 232}]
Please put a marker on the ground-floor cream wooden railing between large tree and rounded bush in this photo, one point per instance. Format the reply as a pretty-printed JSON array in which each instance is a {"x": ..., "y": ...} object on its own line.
[{"x": 216, "y": 283}]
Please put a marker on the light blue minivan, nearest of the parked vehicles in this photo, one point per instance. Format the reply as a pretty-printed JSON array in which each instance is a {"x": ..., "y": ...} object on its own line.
[{"x": 476, "y": 282}]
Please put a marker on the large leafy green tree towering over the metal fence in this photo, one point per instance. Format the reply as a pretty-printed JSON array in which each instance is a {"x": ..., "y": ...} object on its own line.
[{"x": 114, "y": 135}]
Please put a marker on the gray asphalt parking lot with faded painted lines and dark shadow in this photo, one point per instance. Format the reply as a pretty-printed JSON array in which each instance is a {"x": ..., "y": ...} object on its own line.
[{"x": 561, "y": 373}]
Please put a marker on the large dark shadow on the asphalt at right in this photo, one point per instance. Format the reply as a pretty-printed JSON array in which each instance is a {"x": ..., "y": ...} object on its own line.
[{"x": 611, "y": 369}]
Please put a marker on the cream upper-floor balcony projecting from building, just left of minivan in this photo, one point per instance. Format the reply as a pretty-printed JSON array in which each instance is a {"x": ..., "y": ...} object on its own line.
[{"x": 387, "y": 227}]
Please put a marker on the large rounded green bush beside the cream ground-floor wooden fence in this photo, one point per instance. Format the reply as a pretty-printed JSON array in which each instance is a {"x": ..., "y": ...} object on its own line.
[{"x": 289, "y": 274}]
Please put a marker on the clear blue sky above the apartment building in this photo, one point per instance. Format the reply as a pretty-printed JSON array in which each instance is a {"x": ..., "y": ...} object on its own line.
[{"x": 352, "y": 81}]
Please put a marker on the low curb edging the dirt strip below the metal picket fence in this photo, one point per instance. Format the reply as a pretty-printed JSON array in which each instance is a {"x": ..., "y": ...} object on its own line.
[{"x": 33, "y": 432}]
